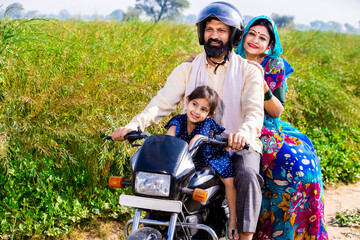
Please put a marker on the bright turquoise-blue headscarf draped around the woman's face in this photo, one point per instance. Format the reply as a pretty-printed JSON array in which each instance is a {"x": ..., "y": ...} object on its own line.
[{"x": 274, "y": 51}]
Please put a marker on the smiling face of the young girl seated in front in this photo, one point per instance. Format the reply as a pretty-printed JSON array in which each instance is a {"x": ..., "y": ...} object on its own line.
[{"x": 197, "y": 110}]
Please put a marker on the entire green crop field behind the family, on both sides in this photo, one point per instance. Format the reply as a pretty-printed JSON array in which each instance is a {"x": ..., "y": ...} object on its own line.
[{"x": 66, "y": 85}]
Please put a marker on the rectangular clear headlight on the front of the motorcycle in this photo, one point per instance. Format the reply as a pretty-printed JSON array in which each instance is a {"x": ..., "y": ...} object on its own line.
[{"x": 152, "y": 184}]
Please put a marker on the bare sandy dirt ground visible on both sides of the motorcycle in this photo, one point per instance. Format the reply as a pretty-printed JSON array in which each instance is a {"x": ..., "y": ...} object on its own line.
[{"x": 338, "y": 199}]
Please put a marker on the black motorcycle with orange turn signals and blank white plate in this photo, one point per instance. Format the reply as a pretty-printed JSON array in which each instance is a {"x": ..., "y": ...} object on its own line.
[{"x": 181, "y": 198}]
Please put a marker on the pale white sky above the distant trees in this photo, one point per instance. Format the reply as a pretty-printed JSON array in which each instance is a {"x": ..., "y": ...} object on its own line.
[{"x": 304, "y": 11}]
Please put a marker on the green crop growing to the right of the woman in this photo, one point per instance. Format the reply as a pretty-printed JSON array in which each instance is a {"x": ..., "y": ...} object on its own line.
[{"x": 323, "y": 98}]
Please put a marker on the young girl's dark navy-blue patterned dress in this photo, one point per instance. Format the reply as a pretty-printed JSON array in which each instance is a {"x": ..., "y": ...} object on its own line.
[{"x": 217, "y": 158}]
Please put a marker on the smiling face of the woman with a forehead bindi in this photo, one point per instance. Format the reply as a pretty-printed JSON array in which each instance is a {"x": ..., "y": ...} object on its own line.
[{"x": 256, "y": 41}]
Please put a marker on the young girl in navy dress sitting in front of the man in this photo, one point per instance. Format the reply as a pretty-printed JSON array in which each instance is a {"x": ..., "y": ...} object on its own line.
[{"x": 197, "y": 122}]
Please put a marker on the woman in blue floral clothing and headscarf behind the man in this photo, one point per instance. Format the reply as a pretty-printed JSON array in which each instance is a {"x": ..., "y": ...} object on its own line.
[{"x": 293, "y": 202}]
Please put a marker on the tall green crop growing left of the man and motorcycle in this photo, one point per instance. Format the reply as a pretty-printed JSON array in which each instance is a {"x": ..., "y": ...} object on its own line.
[{"x": 61, "y": 97}]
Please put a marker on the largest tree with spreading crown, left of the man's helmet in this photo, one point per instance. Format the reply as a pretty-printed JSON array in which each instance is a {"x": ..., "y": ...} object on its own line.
[{"x": 160, "y": 9}]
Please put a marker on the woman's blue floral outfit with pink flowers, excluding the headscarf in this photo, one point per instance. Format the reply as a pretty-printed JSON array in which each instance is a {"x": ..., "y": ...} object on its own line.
[{"x": 293, "y": 196}]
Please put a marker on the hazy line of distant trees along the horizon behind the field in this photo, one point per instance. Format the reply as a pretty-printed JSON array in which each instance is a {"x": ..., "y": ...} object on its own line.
[{"x": 171, "y": 11}]
